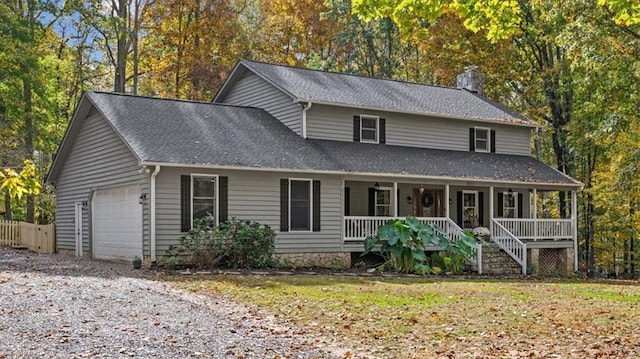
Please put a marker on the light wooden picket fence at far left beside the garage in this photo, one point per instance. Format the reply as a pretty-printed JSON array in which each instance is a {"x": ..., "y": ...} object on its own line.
[{"x": 39, "y": 238}]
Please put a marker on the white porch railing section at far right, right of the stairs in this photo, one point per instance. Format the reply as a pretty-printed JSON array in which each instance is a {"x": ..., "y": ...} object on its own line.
[{"x": 538, "y": 229}]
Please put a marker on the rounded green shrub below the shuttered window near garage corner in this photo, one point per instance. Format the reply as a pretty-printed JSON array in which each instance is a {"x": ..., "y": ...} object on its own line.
[{"x": 233, "y": 244}]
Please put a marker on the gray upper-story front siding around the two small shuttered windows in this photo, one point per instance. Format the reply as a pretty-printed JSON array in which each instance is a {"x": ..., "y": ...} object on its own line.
[{"x": 336, "y": 123}]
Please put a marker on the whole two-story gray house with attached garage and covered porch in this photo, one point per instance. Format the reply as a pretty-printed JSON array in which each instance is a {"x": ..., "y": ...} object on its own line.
[{"x": 323, "y": 158}]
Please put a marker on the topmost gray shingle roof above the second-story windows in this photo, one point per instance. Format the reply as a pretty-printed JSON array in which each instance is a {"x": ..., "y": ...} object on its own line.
[{"x": 366, "y": 92}]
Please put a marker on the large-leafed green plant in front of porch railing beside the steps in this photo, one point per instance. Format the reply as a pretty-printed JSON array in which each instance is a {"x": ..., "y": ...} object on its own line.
[{"x": 403, "y": 243}]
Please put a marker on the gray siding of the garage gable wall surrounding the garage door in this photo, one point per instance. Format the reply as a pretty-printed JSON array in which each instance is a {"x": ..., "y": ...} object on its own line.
[{"x": 98, "y": 159}]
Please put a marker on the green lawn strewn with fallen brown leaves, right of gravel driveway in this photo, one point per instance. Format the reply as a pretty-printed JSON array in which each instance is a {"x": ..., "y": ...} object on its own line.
[{"x": 434, "y": 317}]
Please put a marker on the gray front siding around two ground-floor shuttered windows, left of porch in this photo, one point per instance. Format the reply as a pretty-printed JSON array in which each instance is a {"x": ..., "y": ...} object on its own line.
[{"x": 253, "y": 195}]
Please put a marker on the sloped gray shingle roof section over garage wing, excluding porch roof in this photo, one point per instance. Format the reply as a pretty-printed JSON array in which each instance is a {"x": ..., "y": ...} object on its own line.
[{"x": 182, "y": 132}]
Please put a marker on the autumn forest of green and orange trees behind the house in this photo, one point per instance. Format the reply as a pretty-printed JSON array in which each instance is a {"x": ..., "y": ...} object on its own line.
[{"x": 573, "y": 66}]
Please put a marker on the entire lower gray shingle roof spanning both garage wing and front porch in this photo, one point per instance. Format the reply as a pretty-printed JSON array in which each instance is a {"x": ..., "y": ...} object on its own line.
[{"x": 185, "y": 133}]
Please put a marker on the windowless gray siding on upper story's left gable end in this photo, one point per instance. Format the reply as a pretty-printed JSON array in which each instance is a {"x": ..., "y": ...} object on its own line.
[{"x": 251, "y": 90}]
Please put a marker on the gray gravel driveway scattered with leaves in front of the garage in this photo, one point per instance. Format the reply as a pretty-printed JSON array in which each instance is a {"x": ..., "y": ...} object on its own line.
[{"x": 59, "y": 306}]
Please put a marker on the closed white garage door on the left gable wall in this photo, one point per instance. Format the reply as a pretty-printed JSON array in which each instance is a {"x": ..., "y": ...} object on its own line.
[{"x": 117, "y": 223}]
